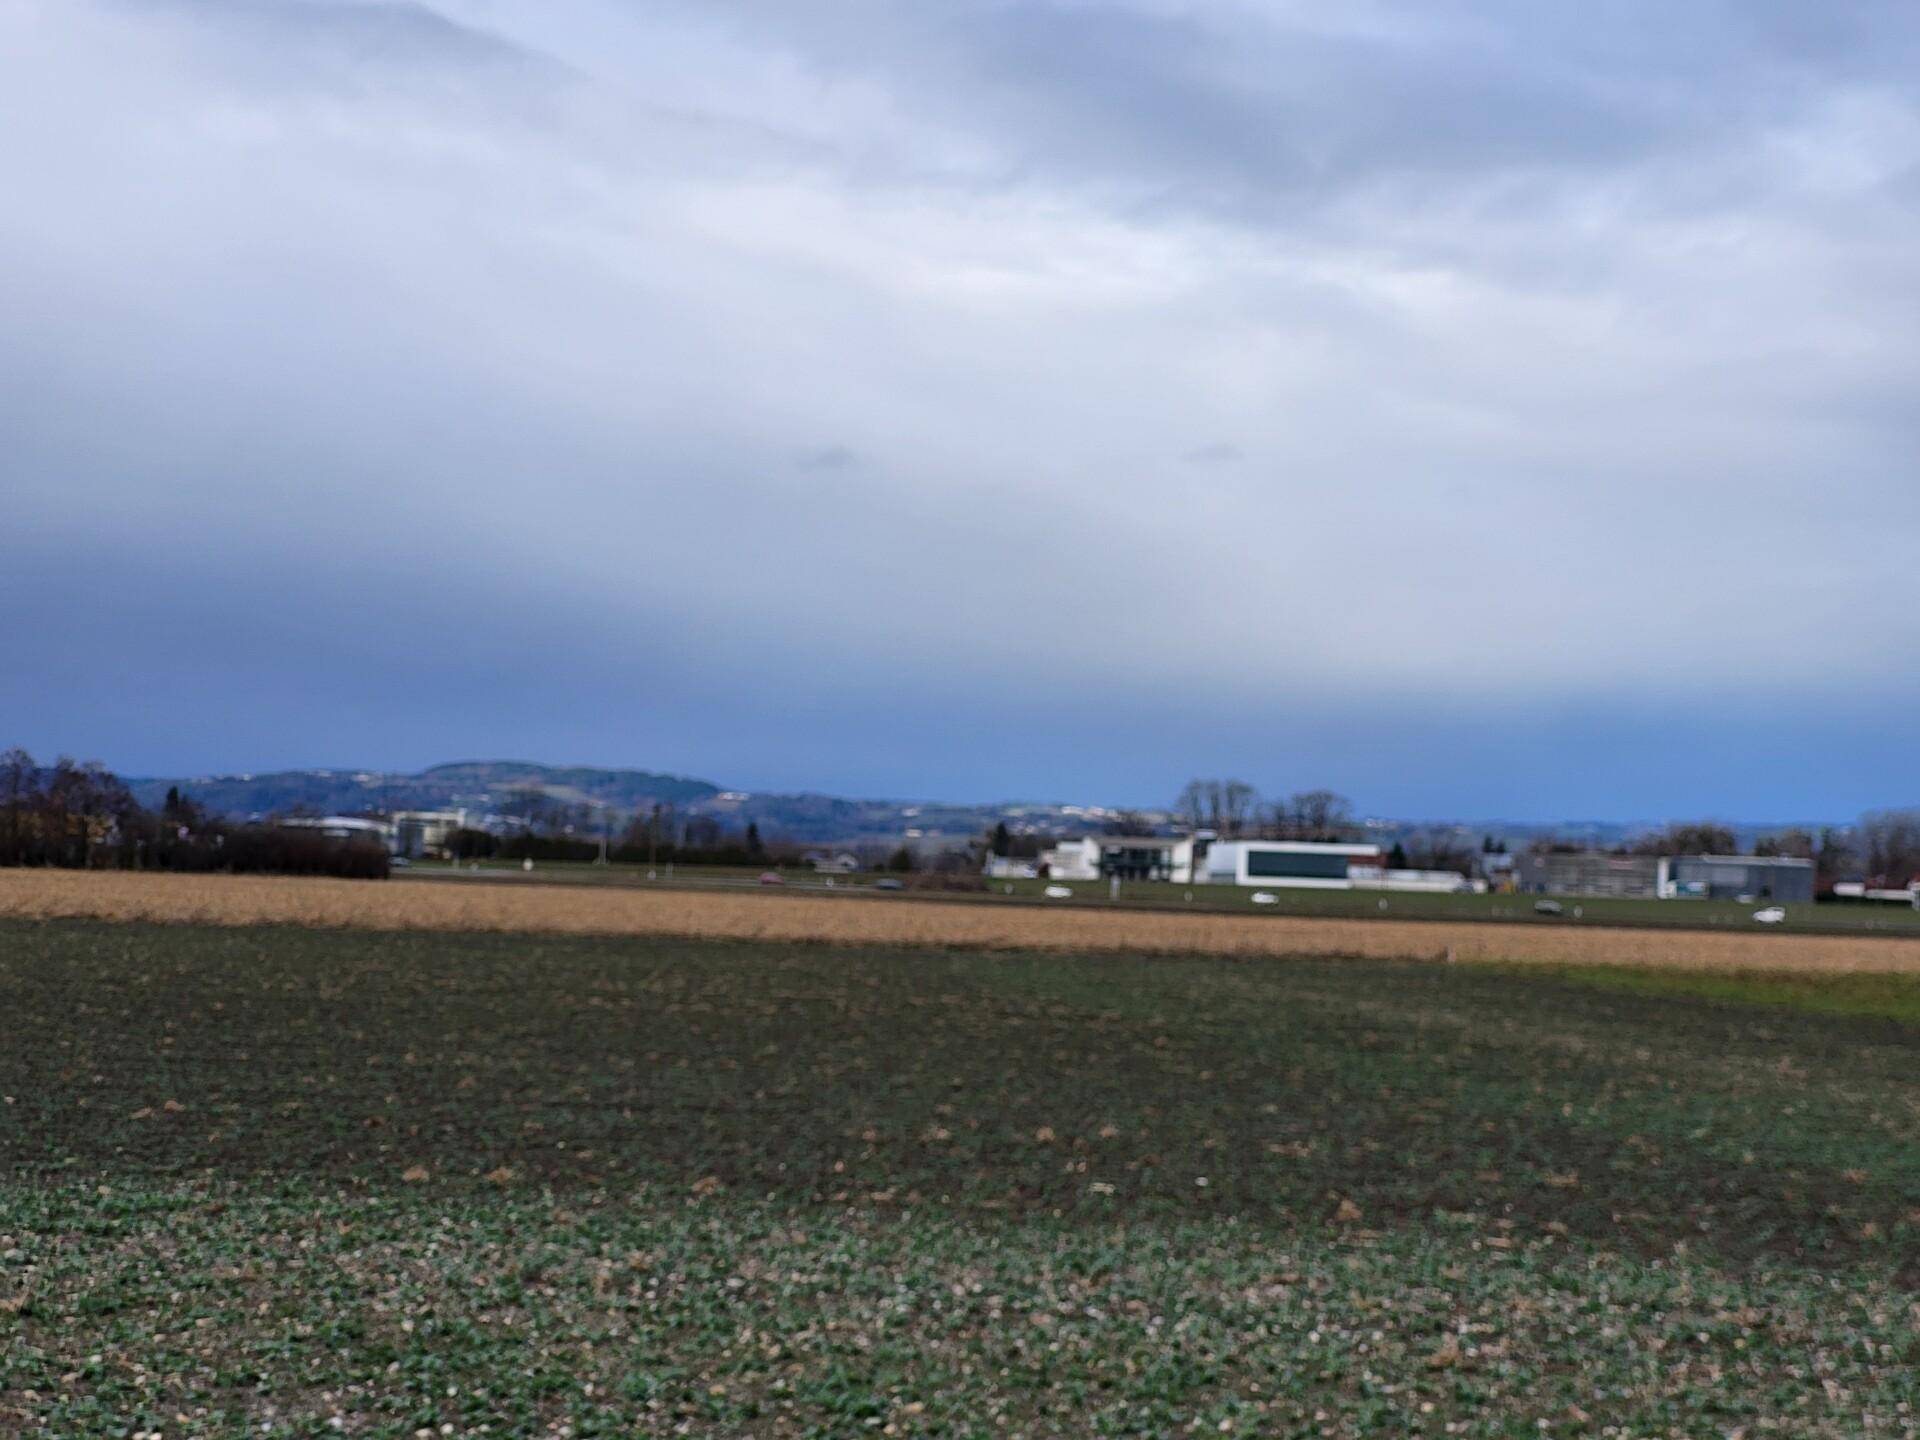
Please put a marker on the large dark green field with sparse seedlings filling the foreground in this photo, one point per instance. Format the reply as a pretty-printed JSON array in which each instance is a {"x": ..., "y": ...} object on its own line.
[{"x": 274, "y": 1182}]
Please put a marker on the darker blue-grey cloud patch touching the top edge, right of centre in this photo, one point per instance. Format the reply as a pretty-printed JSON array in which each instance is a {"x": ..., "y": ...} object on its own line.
[{"x": 1228, "y": 108}]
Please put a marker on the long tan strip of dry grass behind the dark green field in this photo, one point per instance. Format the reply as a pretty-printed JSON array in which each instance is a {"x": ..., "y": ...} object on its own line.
[{"x": 754, "y": 917}]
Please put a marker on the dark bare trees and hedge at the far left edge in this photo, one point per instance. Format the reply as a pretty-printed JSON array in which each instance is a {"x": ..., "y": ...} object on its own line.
[{"x": 82, "y": 817}]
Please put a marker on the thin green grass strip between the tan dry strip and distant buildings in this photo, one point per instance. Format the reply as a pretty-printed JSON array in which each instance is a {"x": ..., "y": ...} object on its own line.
[{"x": 1833, "y": 919}]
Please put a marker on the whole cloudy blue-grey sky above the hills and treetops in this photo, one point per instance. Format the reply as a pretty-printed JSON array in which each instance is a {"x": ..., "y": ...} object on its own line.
[{"x": 1476, "y": 406}]
